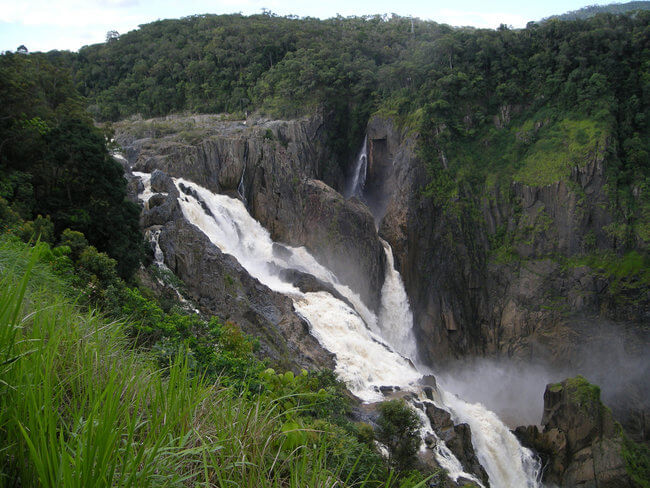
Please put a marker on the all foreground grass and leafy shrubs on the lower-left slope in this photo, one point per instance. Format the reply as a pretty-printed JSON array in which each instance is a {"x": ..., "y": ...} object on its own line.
[{"x": 81, "y": 406}]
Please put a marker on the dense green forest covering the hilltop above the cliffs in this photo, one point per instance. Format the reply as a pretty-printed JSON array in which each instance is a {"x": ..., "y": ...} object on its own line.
[{"x": 564, "y": 88}]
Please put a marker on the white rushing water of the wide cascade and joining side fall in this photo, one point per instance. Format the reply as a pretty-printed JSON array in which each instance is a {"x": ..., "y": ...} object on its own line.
[{"x": 370, "y": 351}]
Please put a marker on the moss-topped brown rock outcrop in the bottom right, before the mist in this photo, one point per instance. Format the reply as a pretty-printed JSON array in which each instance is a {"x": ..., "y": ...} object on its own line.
[{"x": 580, "y": 443}]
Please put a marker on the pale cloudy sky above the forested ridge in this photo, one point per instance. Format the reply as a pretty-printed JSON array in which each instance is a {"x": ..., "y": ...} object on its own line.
[{"x": 42, "y": 25}]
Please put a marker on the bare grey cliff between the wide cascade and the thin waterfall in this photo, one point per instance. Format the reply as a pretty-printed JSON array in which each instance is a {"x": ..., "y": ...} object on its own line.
[{"x": 274, "y": 167}]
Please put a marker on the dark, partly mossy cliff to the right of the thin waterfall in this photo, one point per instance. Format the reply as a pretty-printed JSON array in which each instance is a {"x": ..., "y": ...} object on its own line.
[{"x": 472, "y": 296}]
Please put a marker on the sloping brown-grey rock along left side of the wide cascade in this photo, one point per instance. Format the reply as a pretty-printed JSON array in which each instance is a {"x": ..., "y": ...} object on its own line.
[{"x": 218, "y": 284}]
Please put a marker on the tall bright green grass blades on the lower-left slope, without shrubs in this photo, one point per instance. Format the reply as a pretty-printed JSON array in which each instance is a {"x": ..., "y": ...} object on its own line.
[{"x": 79, "y": 408}]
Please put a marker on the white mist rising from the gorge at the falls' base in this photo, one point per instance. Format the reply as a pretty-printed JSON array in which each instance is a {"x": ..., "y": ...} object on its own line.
[{"x": 614, "y": 359}]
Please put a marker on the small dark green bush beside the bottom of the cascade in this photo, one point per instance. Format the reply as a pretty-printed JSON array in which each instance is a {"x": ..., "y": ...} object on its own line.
[{"x": 398, "y": 429}]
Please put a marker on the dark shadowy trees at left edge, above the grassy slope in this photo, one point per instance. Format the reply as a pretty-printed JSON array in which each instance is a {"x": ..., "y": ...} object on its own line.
[{"x": 54, "y": 165}]
